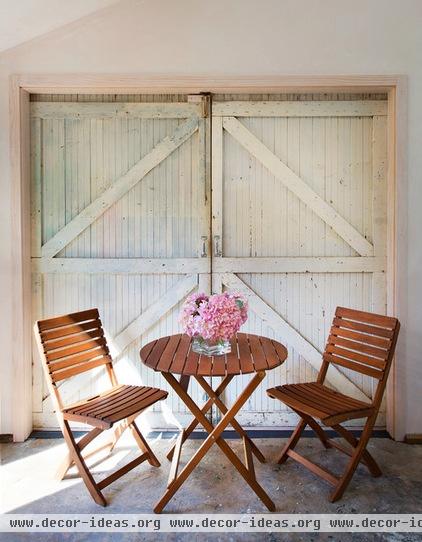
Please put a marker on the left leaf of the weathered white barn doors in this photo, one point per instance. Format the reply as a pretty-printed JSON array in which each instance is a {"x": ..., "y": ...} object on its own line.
[{"x": 120, "y": 221}]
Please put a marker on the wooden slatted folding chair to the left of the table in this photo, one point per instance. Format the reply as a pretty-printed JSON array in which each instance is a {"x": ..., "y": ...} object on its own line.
[{"x": 70, "y": 345}]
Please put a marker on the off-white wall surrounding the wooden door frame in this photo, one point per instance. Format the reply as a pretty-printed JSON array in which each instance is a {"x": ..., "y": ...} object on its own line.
[{"x": 249, "y": 37}]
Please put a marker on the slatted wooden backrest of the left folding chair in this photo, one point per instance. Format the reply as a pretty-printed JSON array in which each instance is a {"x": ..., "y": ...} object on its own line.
[{"x": 73, "y": 344}]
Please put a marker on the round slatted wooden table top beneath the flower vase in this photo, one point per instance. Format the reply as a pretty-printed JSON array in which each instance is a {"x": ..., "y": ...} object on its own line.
[{"x": 249, "y": 354}]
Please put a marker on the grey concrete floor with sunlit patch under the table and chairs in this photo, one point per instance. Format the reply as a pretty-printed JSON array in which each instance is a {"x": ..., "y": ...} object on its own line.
[{"x": 214, "y": 487}]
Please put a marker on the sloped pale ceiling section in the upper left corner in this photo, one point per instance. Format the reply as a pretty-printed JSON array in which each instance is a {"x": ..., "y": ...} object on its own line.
[{"x": 23, "y": 20}]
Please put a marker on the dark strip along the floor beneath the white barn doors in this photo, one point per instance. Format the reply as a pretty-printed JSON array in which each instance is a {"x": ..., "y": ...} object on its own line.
[{"x": 230, "y": 435}]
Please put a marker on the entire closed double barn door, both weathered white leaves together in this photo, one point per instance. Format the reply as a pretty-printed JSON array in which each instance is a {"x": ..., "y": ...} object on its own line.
[{"x": 121, "y": 220}]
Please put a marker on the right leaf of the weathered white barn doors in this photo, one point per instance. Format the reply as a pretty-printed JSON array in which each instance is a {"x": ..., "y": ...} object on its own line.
[{"x": 299, "y": 226}]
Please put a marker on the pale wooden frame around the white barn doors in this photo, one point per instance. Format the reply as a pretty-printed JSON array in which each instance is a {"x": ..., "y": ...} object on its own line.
[{"x": 22, "y": 86}]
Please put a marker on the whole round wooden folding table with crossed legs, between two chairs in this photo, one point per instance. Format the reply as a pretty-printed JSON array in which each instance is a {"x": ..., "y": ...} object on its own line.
[{"x": 250, "y": 354}]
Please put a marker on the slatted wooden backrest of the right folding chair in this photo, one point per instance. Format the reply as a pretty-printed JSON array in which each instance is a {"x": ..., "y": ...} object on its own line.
[{"x": 363, "y": 342}]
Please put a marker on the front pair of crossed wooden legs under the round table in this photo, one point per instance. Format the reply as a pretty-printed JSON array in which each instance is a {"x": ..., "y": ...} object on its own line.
[{"x": 214, "y": 437}]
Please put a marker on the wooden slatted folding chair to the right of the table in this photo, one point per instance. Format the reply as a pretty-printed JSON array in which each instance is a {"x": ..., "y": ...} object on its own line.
[{"x": 359, "y": 341}]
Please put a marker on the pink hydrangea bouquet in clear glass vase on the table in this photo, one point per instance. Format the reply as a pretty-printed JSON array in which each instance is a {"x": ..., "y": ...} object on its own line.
[{"x": 213, "y": 320}]
